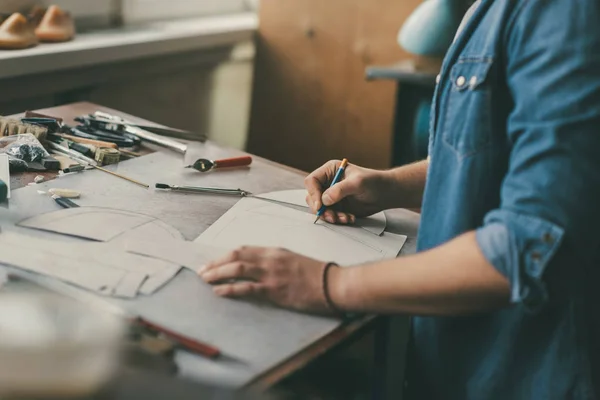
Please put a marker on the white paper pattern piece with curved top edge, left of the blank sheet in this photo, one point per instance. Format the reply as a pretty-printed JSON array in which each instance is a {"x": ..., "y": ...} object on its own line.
[{"x": 100, "y": 224}]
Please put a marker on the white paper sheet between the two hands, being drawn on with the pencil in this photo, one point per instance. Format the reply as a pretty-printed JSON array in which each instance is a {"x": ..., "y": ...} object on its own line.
[{"x": 253, "y": 222}]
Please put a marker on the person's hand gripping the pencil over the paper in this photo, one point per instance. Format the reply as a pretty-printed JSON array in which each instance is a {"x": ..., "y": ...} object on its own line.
[{"x": 360, "y": 192}]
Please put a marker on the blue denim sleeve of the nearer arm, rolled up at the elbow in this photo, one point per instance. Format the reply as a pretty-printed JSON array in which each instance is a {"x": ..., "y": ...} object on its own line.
[{"x": 550, "y": 197}]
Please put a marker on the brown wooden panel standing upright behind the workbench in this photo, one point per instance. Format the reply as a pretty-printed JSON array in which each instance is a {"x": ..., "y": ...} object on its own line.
[{"x": 311, "y": 102}]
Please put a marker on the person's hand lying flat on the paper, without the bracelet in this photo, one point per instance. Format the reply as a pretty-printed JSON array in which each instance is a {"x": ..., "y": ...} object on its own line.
[{"x": 284, "y": 278}]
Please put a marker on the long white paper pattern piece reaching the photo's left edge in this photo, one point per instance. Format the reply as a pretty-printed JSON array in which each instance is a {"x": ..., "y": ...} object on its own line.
[{"x": 70, "y": 263}]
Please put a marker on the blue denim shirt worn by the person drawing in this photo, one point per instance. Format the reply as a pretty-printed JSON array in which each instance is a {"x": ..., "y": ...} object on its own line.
[{"x": 515, "y": 156}]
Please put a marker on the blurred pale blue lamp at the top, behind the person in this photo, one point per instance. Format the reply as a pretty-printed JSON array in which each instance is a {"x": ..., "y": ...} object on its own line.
[{"x": 430, "y": 29}]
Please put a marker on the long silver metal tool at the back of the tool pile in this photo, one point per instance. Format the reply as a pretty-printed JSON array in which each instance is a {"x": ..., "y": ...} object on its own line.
[{"x": 114, "y": 123}]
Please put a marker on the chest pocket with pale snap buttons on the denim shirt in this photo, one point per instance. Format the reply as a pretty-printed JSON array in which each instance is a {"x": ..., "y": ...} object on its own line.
[{"x": 467, "y": 119}]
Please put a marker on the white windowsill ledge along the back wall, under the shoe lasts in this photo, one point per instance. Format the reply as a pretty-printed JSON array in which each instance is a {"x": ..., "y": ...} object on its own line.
[{"x": 126, "y": 43}]
